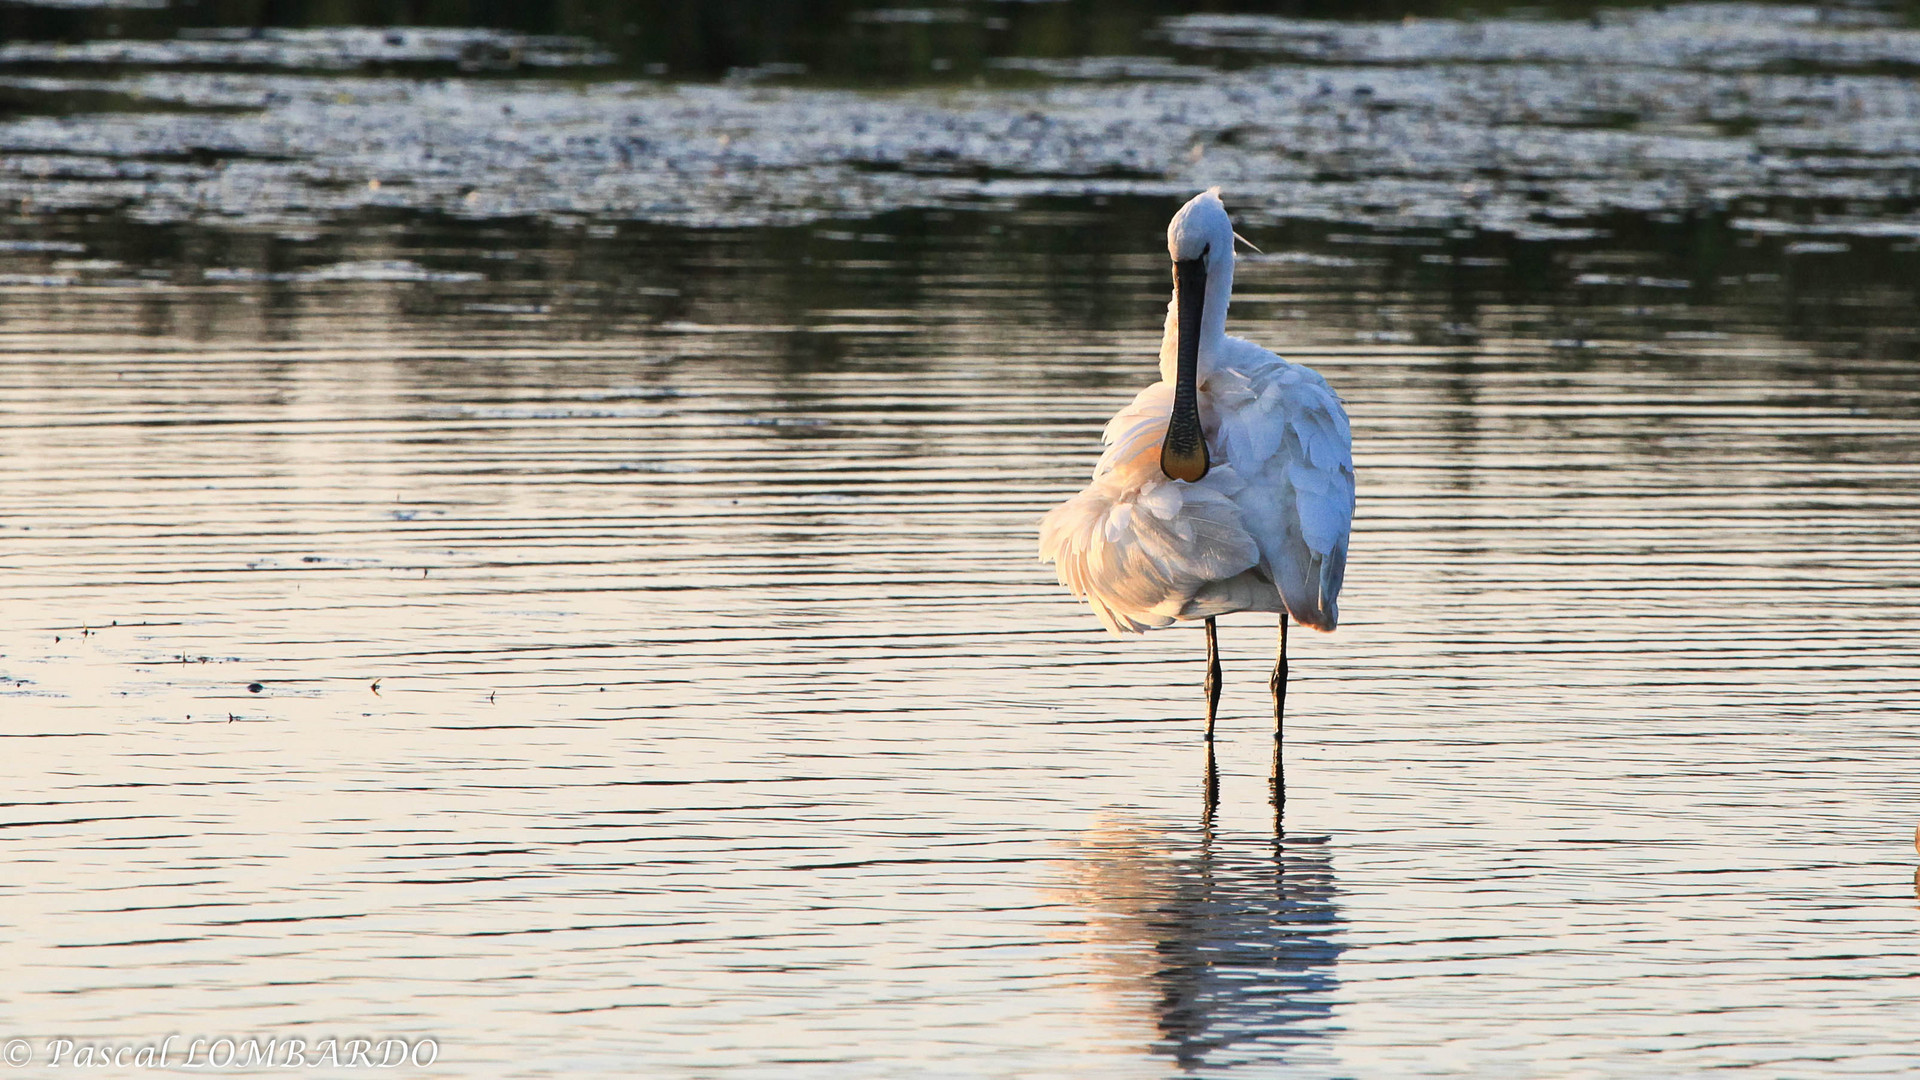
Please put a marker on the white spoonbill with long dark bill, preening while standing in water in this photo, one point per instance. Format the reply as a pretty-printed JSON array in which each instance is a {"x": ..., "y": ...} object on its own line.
[{"x": 1224, "y": 487}]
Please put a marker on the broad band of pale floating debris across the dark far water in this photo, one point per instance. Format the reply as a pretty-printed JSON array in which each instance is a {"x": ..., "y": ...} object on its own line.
[{"x": 1531, "y": 128}]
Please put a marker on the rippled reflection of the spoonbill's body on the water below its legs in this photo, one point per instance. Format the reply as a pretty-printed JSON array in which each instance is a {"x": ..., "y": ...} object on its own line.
[{"x": 1232, "y": 939}]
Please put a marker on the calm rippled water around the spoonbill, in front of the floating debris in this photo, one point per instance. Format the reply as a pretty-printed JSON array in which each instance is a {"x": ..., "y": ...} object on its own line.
[{"x": 615, "y": 647}]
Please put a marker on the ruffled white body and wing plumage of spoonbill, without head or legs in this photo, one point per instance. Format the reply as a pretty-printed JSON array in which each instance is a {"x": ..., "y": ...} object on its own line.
[{"x": 1268, "y": 526}]
